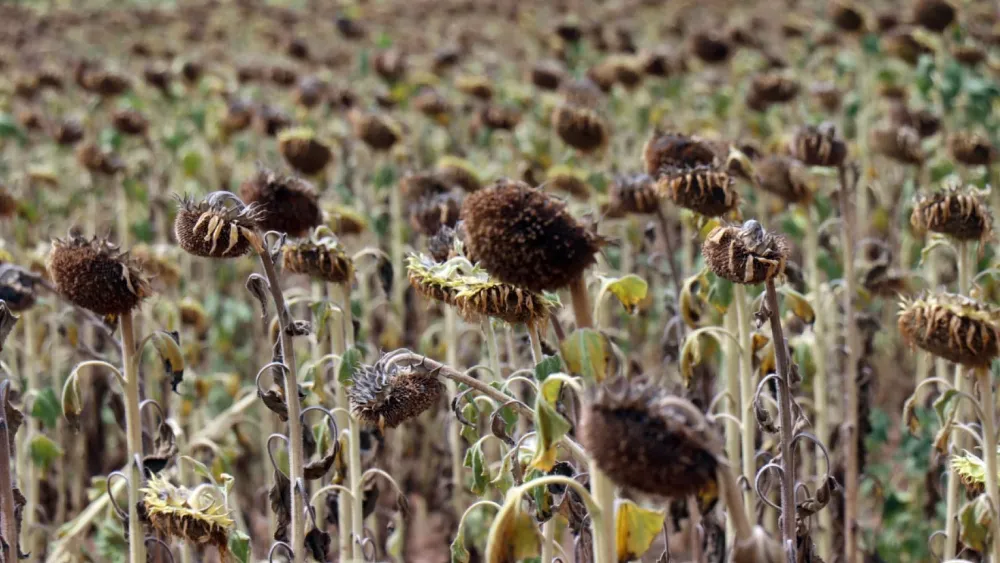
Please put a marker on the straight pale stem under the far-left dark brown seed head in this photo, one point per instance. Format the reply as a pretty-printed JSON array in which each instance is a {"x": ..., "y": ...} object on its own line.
[{"x": 133, "y": 431}]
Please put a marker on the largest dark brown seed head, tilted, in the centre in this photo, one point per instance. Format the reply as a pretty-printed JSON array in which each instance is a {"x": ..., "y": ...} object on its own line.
[{"x": 525, "y": 237}]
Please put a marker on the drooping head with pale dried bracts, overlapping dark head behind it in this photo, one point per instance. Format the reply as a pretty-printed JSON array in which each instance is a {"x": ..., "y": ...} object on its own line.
[{"x": 211, "y": 229}]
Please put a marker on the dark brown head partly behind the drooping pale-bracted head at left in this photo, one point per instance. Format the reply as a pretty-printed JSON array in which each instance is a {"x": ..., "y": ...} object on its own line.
[{"x": 286, "y": 204}]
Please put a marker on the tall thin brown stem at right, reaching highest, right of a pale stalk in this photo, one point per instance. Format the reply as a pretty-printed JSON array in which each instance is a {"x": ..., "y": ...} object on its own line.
[{"x": 850, "y": 429}]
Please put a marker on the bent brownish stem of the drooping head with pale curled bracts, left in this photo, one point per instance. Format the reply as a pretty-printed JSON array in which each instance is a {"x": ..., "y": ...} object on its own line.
[{"x": 295, "y": 457}]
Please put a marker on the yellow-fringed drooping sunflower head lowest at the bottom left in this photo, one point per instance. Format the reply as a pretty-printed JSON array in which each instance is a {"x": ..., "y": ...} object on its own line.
[{"x": 199, "y": 516}]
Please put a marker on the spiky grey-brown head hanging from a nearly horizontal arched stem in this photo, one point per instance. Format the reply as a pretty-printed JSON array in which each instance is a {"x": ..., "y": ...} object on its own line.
[{"x": 387, "y": 395}]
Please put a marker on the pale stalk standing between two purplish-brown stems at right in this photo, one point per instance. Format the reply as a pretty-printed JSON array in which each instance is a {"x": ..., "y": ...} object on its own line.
[{"x": 820, "y": 398}]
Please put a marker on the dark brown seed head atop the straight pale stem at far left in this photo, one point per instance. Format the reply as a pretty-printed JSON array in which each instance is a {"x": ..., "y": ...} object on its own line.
[{"x": 95, "y": 275}]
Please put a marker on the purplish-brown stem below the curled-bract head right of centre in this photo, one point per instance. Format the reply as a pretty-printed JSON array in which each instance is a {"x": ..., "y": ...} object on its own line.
[{"x": 788, "y": 535}]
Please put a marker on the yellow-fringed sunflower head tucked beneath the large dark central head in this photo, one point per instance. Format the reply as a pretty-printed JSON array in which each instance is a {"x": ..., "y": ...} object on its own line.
[{"x": 475, "y": 294}]
